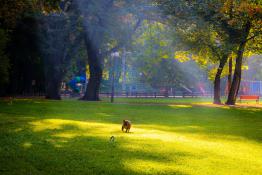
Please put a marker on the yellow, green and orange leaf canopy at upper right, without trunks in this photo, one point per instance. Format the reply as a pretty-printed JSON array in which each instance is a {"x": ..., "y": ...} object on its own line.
[{"x": 213, "y": 30}]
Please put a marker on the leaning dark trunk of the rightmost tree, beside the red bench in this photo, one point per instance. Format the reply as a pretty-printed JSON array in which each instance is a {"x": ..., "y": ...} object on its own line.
[{"x": 232, "y": 96}]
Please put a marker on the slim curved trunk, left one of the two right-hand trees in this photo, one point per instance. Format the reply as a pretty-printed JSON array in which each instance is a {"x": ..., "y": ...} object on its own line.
[{"x": 217, "y": 94}]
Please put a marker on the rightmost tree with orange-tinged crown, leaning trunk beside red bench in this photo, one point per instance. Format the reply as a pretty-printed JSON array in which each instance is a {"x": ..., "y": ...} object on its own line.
[{"x": 246, "y": 22}]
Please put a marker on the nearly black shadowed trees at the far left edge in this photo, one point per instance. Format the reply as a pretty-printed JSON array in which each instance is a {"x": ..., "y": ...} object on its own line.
[{"x": 22, "y": 64}]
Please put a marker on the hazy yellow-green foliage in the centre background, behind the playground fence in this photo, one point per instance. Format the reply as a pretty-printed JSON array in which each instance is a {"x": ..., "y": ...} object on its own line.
[{"x": 154, "y": 57}]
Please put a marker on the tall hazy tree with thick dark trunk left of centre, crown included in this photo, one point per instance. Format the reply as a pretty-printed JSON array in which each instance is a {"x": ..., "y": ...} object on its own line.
[{"x": 104, "y": 26}]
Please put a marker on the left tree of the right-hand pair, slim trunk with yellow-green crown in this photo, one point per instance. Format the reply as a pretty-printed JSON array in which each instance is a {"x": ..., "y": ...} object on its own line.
[{"x": 197, "y": 36}]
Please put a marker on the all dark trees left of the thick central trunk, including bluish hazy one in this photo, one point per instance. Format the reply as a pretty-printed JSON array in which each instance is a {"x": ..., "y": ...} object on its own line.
[{"x": 36, "y": 47}]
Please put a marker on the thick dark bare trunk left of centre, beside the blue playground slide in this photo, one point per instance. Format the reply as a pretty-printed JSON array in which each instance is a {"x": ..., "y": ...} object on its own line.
[{"x": 95, "y": 67}]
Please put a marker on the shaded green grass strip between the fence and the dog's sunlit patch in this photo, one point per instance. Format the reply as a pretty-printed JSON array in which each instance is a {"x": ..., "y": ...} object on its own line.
[{"x": 184, "y": 118}]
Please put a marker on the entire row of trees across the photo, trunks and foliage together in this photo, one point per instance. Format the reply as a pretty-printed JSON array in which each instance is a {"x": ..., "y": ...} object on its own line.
[{"x": 41, "y": 40}]
